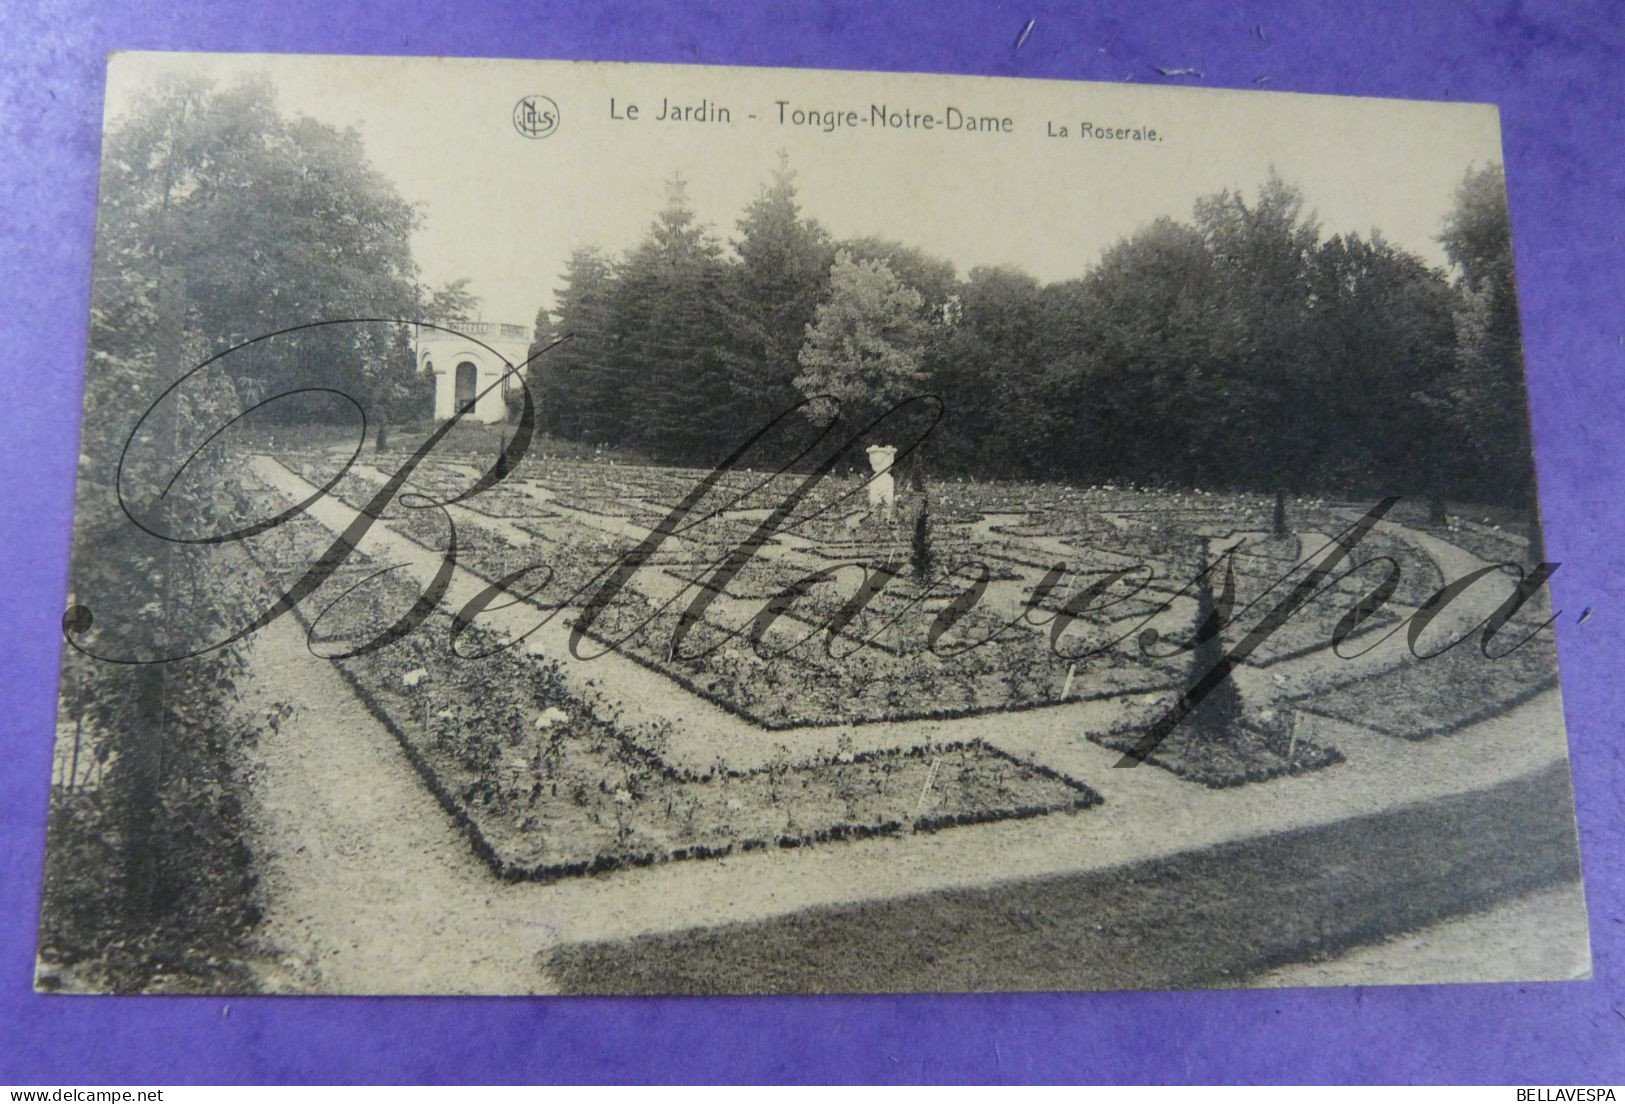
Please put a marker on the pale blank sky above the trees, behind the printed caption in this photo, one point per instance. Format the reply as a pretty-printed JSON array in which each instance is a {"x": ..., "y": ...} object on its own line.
[{"x": 506, "y": 211}]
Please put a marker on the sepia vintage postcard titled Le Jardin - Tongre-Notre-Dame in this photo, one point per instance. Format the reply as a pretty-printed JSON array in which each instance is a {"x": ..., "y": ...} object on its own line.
[{"x": 630, "y": 529}]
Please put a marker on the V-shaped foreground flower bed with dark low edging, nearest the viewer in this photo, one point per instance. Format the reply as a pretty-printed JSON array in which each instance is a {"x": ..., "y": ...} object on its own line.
[{"x": 550, "y": 785}]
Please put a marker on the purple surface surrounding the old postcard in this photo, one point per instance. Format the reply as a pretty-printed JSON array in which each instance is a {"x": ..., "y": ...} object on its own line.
[{"x": 1556, "y": 69}]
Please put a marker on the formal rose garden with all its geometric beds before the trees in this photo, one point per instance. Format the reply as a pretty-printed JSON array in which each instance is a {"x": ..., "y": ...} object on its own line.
[{"x": 818, "y": 624}]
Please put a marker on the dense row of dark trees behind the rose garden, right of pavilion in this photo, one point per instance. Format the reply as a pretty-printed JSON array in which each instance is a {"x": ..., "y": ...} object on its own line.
[{"x": 1236, "y": 349}]
